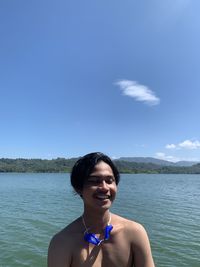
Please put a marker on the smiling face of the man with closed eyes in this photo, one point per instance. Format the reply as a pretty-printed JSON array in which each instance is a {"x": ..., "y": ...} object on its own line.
[{"x": 100, "y": 188}]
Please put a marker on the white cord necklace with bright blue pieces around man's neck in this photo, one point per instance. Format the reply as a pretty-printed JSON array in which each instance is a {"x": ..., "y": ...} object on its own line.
[{"x": 92, "y": 238}]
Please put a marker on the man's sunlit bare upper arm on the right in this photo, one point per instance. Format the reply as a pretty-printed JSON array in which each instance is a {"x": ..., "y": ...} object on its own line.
[{"x": 142, "y": 249}]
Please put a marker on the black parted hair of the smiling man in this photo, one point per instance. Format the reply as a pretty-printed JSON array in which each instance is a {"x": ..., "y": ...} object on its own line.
[{"x": 84, "y": 167}]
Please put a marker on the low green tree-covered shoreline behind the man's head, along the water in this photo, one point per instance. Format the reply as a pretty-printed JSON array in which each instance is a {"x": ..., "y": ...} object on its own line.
[{"x": 65, "y": 165}]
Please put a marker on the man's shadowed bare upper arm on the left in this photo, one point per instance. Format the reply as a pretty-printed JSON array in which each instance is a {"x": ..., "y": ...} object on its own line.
[{"x": 58, "y": 253}]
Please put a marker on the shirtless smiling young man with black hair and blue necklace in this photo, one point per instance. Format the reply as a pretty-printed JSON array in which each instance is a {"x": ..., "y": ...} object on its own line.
[{"x": 99, "y": 238}]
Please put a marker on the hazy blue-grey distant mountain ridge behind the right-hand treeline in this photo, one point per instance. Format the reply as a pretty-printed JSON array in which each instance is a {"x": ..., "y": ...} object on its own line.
[{"x": 158, "y": 161}]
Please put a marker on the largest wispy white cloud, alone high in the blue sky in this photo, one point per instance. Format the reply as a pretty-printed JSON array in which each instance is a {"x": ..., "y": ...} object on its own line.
[{"x": 138, "y": 91}]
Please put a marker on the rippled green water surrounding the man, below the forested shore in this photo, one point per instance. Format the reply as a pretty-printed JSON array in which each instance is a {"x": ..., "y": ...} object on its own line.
[{"x": 35, "y": 206}]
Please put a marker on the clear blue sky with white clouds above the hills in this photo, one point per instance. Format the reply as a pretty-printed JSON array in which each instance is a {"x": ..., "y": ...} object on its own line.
[{"x": 121, "y": 77}]
